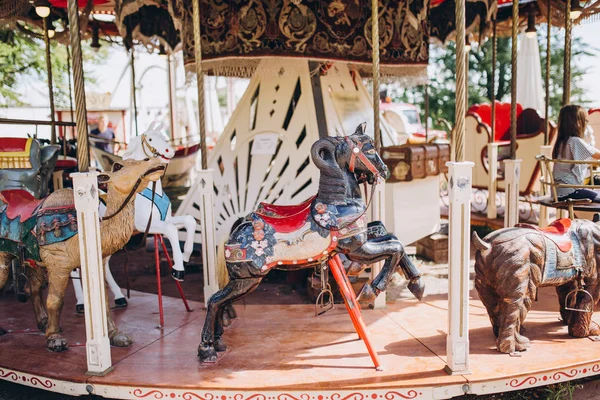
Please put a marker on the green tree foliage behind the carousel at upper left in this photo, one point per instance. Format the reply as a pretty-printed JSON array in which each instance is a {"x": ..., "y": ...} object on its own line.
[{"x": 23, "y": 58}]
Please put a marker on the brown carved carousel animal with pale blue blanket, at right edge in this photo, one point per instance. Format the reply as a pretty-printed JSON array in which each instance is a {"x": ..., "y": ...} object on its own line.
[{"x": 512, "y": 263}]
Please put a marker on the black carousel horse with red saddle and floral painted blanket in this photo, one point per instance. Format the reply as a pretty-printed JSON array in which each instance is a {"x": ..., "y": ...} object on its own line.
[{"x": 312, "y": 233}]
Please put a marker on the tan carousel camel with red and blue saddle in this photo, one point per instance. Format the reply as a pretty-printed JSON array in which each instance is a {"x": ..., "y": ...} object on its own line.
[{"x": 43, "y": 233}]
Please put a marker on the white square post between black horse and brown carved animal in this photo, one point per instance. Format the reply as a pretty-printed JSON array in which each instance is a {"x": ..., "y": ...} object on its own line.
[{"x": 459, "y": 224}]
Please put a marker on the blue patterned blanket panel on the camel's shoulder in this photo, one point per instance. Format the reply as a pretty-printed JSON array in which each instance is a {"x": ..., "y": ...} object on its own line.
[{"x": 56, "y": 224}]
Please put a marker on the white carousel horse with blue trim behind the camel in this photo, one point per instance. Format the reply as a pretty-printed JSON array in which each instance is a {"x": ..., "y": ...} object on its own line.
[{"x": 152, "y": 143}]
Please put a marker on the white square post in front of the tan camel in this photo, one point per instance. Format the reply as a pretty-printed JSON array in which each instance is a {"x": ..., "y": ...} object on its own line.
[{"x": 92, "y": 273}]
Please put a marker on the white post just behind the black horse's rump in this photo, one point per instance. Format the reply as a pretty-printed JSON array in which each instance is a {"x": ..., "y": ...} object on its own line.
[{"x": 204, "y": 191}]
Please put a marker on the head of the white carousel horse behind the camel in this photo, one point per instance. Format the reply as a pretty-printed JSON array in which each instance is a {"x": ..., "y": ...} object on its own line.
[{"x": 151, "y": 143}]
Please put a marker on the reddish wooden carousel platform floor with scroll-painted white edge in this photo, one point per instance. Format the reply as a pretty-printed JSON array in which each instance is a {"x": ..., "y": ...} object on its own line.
[{"x": 284, "y": 352}]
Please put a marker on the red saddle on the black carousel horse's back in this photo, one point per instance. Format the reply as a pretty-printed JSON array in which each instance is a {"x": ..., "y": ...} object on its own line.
[{"x": 285, "y": 219}]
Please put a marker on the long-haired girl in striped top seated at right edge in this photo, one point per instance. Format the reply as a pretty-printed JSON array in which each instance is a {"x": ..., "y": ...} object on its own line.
[{"x": 570, "y": 145}]
